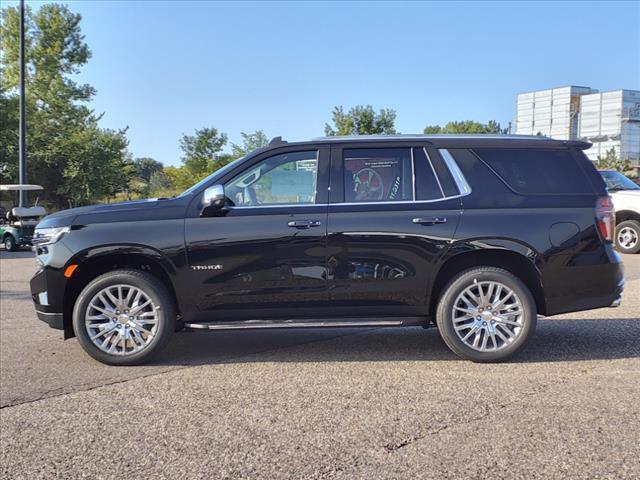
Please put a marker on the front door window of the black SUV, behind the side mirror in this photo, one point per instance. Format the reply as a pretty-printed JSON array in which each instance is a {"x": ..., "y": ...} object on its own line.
[{"x": 285, "y": 179}]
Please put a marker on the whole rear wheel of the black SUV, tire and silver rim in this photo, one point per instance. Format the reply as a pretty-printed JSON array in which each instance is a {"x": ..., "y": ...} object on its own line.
[{"x": 486, "y": 314}]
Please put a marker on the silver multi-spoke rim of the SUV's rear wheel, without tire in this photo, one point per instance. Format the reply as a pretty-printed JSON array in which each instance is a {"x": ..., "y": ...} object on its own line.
[{"x": 488, "y": 316}]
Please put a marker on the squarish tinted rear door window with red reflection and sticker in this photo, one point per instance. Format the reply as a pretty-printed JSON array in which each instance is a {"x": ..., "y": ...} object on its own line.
[{"x": 377, "y": 175}]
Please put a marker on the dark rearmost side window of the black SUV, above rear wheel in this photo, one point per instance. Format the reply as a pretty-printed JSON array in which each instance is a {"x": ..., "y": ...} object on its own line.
[{"x": 537, "y": 171}]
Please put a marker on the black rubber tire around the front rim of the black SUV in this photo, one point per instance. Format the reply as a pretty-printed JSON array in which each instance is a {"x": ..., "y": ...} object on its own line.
[{"x": 152, "y": 288}]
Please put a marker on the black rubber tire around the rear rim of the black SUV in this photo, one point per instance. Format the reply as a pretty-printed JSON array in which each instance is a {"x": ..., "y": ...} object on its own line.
[{"x": 444, "y": 316}]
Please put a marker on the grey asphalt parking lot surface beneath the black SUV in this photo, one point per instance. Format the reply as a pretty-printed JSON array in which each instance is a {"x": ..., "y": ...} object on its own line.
[{"x": 362, "y": 404}]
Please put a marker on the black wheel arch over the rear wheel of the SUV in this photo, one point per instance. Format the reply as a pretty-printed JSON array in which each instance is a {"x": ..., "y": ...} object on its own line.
[{"x": 515, "y": 261}]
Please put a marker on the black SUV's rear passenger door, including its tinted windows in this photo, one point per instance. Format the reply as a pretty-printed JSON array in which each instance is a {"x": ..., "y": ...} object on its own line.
[{"x": 392, "y": 214}]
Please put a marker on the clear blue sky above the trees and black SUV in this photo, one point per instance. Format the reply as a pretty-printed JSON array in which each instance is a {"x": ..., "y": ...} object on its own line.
[{"x": 167, "y": 68}]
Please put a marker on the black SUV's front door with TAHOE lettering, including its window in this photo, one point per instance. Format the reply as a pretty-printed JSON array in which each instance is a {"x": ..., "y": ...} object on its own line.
[{"x": 266, "y": 255}]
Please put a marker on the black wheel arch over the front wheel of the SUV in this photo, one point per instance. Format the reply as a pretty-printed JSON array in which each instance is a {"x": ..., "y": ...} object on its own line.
[{"x": 95, "y": 262}]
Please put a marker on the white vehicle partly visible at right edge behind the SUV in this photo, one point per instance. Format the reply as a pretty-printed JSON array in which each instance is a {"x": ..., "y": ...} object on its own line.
[{"x": 626, "y": 201}]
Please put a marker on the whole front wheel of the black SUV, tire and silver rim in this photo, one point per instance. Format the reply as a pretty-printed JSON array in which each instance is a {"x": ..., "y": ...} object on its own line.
[{"x": 124, "y": 317}]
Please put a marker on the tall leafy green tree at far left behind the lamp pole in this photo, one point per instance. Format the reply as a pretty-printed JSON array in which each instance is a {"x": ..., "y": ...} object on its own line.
[{"x": 64, "y": 142}]
